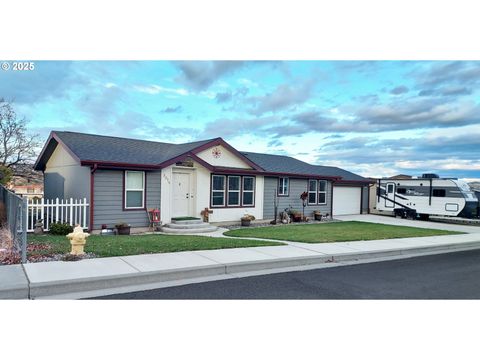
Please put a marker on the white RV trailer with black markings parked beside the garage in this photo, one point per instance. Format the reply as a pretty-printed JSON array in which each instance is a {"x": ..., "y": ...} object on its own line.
[{"x": 425, "y": 196}]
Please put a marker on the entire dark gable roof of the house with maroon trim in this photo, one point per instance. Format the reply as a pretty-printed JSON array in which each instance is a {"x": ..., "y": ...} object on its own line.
[{"x": 110, "y": 151}]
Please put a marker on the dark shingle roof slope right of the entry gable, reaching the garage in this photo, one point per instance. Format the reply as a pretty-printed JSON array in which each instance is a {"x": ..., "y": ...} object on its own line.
[{"x": 286, "y": 164}]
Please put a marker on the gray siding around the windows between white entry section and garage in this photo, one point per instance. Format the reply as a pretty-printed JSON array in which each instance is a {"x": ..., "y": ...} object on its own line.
[{"x": 297, "y": 187}]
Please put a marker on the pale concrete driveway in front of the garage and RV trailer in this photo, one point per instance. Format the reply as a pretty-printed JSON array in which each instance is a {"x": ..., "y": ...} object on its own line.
[{"x": 388, "y": 220}]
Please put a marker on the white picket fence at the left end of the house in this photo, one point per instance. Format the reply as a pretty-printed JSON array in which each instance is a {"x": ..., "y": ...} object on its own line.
[{"x": 71, "y": 211}]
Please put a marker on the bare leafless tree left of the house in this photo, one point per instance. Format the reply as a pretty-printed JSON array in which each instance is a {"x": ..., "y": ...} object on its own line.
[{"x": 16, "y": 146}]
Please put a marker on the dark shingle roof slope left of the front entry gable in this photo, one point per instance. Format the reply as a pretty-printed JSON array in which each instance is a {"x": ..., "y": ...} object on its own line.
[{"x": 123, "y": 150}]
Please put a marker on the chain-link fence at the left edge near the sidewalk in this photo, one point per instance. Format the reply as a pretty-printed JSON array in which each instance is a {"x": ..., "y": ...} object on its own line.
[{"x": 13, "y": 216}]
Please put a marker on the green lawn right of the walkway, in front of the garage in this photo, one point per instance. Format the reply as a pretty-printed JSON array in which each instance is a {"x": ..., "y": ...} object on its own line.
[{"x": 335, "y": 231}]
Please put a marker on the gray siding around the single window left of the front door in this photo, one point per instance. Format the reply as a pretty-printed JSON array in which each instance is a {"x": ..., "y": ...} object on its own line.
[{"x": 108, "y": 201}]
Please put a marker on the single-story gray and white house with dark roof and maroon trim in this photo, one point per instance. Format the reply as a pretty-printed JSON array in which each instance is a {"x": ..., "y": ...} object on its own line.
[{"x": 123, "y": 177}]
